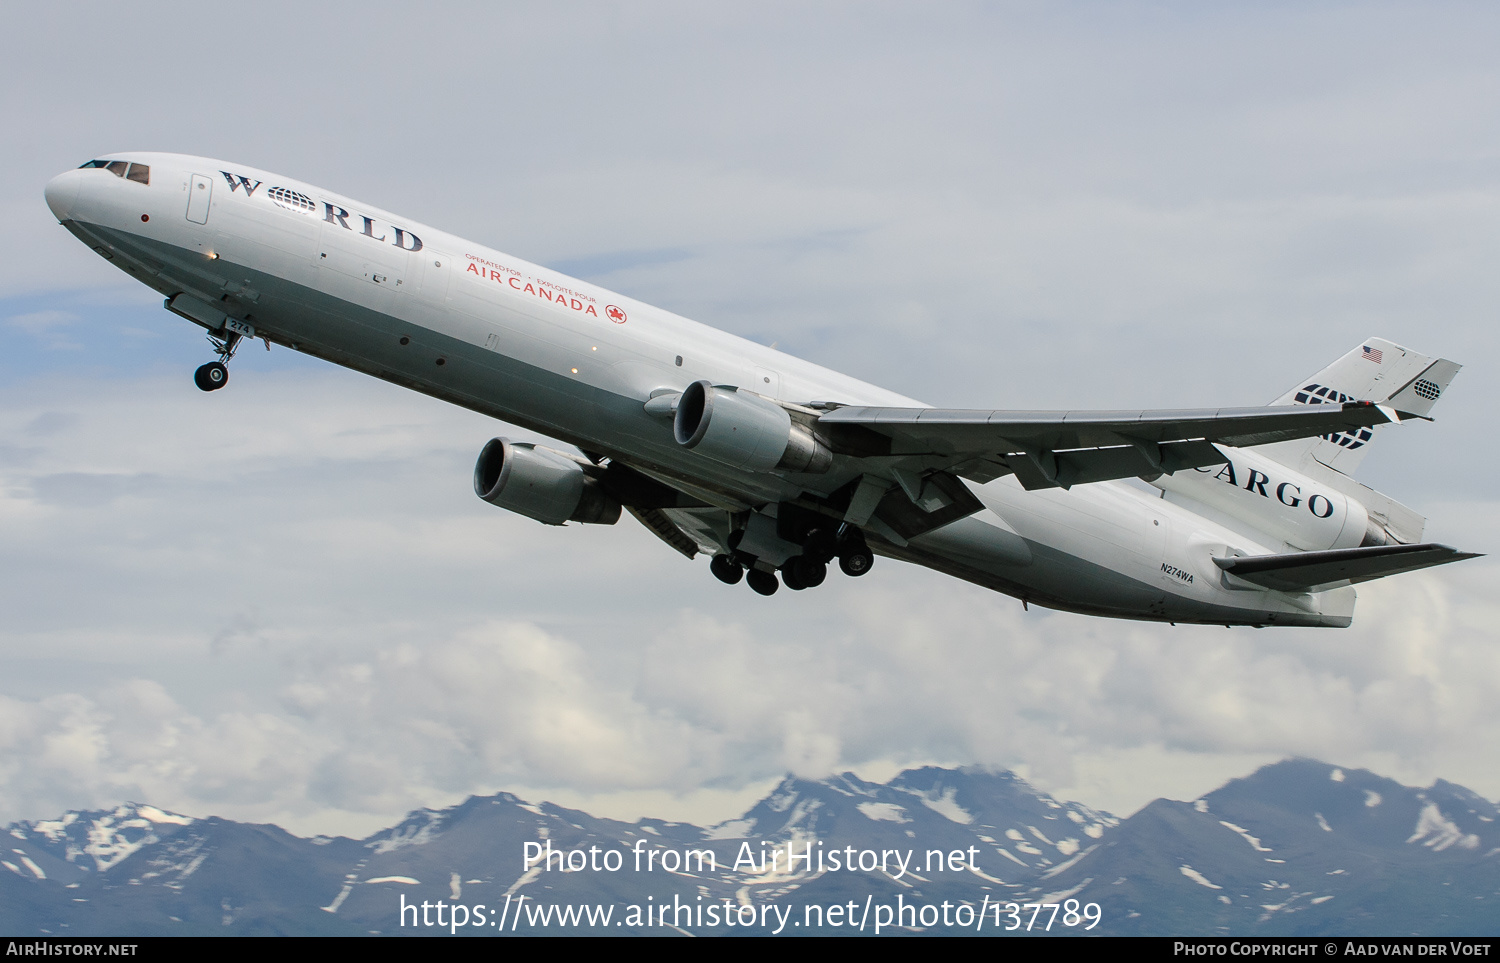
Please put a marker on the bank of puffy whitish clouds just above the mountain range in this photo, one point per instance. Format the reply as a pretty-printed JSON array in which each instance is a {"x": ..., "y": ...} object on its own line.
[{"x": 511, "y": 704}]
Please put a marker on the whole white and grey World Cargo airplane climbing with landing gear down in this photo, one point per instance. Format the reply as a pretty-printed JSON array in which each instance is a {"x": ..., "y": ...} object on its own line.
[{"x": 767, "y": 463}]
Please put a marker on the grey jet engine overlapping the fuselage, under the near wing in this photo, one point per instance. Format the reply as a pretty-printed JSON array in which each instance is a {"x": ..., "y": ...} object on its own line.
[{"x": 746, "y": 431}]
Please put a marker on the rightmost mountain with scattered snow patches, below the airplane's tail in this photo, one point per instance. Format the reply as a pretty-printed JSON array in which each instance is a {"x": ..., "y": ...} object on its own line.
[{"x": 1303, "y": 848}]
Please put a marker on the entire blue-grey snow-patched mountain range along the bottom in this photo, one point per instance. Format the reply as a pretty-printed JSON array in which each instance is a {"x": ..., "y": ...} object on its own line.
[{"x": 1300, "y": 847}]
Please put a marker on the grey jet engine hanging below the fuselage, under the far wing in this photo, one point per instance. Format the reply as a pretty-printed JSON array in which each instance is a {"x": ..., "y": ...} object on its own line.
[{"x": 542, "y": 485}]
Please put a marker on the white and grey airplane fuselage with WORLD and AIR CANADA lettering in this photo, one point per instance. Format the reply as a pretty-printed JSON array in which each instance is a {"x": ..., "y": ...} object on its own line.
[{"x": 409, "y": 304}]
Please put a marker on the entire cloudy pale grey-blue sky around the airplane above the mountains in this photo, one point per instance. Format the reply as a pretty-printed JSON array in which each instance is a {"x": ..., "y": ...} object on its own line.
[{"x": 284, "y": 604}]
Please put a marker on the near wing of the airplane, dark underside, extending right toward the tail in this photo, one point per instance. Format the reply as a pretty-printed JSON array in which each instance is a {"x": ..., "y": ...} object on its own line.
[{"x": 1061, "y": 449}]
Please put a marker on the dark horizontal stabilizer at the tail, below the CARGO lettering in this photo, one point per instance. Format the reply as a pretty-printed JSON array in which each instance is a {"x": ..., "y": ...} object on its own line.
[{"x": 1313, "y": 572}]
